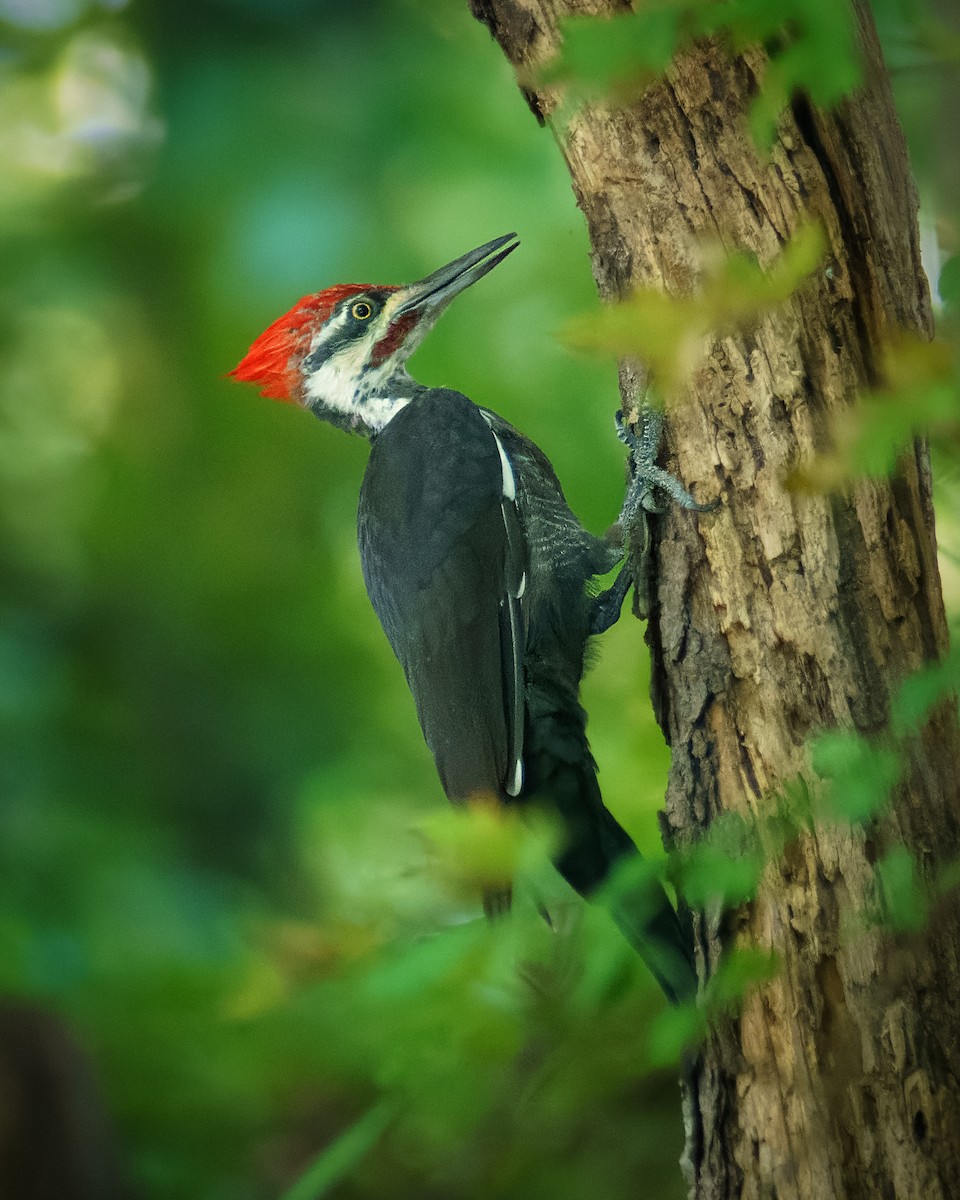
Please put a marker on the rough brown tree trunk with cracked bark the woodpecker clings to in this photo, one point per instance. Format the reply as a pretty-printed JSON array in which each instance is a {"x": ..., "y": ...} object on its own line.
[{"x": 782, "y": 615}]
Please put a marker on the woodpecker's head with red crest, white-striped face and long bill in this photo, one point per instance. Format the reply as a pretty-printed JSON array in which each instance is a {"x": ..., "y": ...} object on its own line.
[{"x": 343, "y": 352}]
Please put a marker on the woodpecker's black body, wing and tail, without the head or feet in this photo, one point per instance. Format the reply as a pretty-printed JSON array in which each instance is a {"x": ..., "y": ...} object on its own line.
[{"x": 484, "y": 597}]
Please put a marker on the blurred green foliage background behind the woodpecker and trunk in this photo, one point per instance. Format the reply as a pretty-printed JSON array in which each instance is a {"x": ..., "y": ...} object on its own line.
[{"x": 213, "y": 860}]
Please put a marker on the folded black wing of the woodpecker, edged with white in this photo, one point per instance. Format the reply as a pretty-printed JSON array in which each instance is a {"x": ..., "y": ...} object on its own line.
[{"x": 443, "y": 560}]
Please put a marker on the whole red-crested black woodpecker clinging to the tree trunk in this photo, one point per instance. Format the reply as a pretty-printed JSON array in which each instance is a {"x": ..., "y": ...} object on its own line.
[{"x": 478, "y": 571}]
